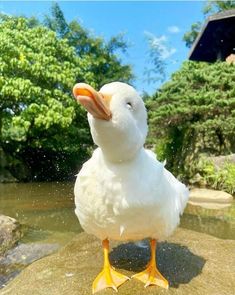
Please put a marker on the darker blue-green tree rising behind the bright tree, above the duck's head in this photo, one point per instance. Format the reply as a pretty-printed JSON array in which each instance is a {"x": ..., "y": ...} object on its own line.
[{"x": 105, "y": 65}]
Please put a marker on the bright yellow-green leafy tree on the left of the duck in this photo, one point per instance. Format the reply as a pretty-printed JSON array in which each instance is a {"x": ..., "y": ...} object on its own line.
[{"x": 38, "y": 115}]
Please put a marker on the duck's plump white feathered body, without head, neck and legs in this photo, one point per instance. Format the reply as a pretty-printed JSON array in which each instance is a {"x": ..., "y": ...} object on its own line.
[{"x": 129, "y": 200}]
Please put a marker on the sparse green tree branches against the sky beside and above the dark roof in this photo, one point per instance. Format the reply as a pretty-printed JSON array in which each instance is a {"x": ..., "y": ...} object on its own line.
[{"x": 210, "y": 7}]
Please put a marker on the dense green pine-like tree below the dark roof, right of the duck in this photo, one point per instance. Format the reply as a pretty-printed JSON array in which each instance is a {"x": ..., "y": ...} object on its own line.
[{"x": 194, "y": 114}]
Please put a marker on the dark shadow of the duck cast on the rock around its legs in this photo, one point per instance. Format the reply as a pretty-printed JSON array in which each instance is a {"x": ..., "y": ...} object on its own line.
[{"x": 176, "y": 262}]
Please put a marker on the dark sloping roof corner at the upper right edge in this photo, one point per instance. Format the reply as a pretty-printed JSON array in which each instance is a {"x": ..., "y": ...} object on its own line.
[{"x": 216, "y": 39}]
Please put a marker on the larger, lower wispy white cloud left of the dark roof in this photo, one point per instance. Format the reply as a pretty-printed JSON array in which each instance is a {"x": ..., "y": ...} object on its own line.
[{"x": 160, "y": 44}]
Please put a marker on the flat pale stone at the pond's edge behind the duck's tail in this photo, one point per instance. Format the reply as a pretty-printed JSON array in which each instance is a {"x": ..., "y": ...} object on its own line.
[{"x": 211, "y": 199}]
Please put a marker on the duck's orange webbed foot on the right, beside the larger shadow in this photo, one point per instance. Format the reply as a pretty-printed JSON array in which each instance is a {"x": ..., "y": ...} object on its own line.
[{"x": 152, "y": 276}]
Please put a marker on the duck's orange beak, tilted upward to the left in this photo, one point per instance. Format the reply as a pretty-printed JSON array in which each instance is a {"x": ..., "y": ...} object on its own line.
[{"x": 94, "y": 102}]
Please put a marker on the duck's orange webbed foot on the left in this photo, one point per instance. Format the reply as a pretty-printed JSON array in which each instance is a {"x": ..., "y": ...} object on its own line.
[{"x": 108, "y": 278}]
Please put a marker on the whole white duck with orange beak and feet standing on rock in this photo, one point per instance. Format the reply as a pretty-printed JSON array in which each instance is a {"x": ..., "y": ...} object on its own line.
[{"x": 123, "y": 192}]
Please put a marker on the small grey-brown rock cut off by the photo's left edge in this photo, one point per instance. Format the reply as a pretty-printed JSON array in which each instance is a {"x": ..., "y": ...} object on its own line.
[{"x": 10, "y": 233}]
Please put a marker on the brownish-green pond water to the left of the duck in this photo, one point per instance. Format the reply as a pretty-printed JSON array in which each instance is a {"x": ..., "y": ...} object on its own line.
[{"x": 46, "y": 208}]
